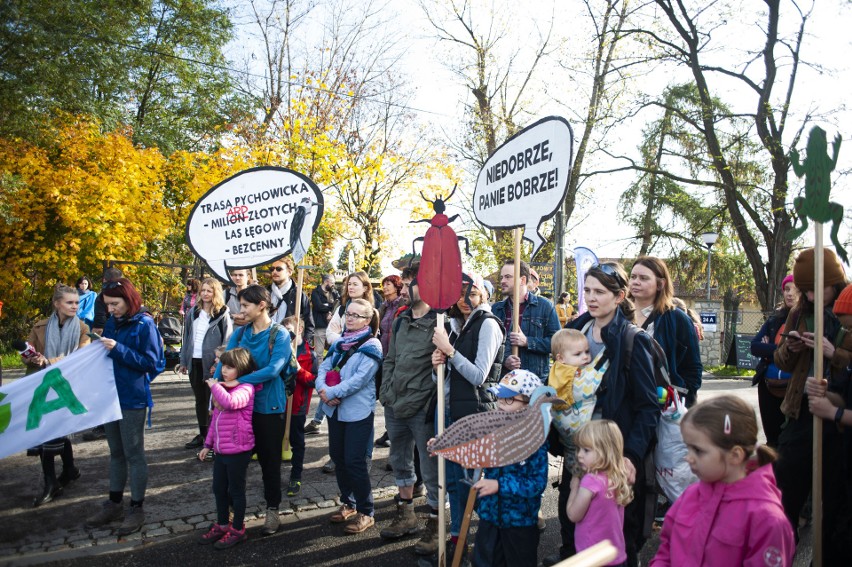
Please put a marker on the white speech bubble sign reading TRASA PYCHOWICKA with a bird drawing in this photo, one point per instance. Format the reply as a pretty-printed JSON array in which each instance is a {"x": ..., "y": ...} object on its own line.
[{"x": 254, "y": 217}]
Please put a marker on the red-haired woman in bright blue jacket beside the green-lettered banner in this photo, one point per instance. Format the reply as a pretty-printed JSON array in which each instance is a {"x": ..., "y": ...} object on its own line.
[{"x": 136, "y": 350}]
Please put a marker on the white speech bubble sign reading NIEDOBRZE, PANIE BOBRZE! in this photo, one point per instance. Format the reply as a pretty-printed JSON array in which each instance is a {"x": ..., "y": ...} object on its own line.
[{"x": 524, "y": 181}]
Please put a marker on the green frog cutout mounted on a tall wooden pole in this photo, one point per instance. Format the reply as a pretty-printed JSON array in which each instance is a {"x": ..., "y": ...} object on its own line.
[{"x": 816, "y": 168}]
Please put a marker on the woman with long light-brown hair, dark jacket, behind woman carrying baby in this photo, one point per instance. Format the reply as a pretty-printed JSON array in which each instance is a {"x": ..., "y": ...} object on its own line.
[{"x": 652, "y": 293}]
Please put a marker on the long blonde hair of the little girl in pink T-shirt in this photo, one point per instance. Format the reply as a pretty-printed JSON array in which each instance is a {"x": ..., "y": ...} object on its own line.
[{"x": 604, "y": 437}]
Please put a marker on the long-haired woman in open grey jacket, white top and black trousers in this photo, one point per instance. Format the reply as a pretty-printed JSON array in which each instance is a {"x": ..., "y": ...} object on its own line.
[{"x": 207, "y": 327}]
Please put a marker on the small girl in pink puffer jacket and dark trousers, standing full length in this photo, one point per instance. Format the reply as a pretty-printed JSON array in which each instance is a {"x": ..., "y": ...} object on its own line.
[{"x": 231, "y": 437}]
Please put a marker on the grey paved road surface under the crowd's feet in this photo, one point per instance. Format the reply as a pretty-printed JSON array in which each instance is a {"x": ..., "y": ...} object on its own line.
[{"x": 180, "y": 487}]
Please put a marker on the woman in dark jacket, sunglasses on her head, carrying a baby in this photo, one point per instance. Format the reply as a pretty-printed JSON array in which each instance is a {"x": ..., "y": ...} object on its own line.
[{"x": 627, "y": 398}]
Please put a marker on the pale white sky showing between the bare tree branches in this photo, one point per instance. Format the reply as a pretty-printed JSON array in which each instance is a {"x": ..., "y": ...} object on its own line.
[{"x": 439, "y": 99}]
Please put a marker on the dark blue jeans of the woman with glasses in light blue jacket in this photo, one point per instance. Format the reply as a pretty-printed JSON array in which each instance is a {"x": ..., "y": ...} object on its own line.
[{"x": 347, "y": 442}]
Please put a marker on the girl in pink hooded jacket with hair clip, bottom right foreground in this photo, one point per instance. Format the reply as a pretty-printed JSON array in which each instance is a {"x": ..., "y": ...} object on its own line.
[{"x": 733, "y": 516}]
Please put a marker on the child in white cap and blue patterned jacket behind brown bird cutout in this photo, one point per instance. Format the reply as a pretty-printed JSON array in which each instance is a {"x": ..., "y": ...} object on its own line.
[{"x": 510, "y": 496}]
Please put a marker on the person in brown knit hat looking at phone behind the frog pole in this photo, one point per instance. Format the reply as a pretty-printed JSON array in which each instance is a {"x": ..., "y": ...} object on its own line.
[{"x": 795, "y": 355}]
